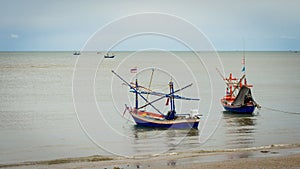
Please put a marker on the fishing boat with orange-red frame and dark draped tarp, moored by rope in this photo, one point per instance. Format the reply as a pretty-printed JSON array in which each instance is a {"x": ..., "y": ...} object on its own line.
[{"x": 238, "y": 98}]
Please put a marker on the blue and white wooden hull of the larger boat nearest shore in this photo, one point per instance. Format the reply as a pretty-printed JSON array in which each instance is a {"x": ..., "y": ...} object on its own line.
[{"x": 162, "y": 123}]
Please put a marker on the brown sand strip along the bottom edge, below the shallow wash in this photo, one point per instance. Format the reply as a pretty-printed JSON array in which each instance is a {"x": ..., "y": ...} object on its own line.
[{"x": 290, "y": 161}]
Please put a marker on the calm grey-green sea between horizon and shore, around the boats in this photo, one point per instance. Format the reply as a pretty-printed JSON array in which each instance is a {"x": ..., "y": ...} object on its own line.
[{"x": 38, "y": 120}]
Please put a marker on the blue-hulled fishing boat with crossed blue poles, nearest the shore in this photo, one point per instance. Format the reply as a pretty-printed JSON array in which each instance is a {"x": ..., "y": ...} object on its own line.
[{"x": 158, "y": 119}]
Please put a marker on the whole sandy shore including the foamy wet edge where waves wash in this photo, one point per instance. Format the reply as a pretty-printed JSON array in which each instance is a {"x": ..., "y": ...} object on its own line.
[{"x": 264, "y": 158}]
